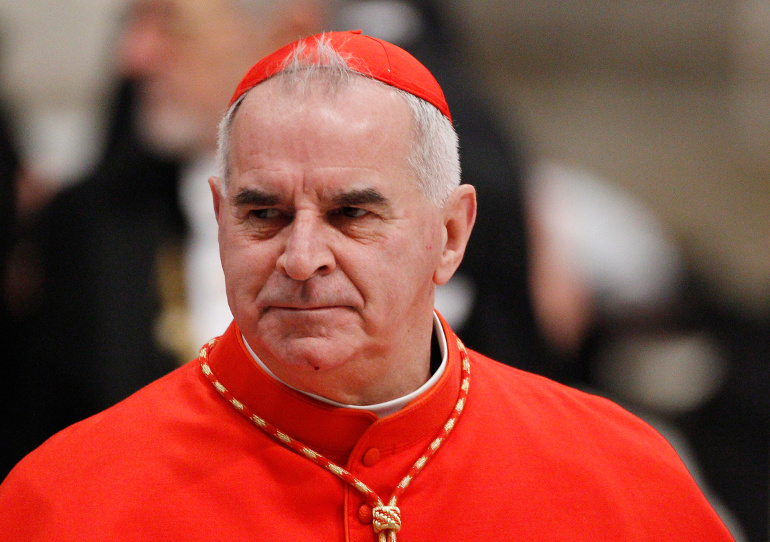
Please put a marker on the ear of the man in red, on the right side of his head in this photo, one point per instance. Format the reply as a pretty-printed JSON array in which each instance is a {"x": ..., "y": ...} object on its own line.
[{"x": 459, "y": 215}]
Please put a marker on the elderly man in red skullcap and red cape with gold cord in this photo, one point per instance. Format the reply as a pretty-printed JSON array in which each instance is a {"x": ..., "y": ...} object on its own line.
[{"x": 338, "y": 405}]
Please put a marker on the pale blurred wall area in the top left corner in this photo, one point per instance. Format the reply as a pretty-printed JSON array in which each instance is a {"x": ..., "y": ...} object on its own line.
[{"x": 54, "y": 71}]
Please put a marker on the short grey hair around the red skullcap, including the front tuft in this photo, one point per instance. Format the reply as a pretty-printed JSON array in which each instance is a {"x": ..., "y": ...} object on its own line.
[{"x": 434, "y": 154}]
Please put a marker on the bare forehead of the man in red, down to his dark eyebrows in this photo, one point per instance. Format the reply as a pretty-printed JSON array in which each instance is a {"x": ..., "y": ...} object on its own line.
[{"x": 349, "y": 141}]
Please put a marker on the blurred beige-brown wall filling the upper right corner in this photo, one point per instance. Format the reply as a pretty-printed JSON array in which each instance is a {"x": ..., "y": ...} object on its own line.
[{"x": 669, "y": 99}]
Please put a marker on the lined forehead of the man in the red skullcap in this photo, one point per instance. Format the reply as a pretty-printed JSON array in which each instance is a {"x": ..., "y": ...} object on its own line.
[{"x": 363, "y": 125}]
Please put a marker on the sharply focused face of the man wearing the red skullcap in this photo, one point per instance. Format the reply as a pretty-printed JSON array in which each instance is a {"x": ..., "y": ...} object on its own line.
[{"x": 329, "y": 248}]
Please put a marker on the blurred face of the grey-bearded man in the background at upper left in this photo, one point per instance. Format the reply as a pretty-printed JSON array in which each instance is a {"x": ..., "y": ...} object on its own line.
[{"x": 185, "y": 55}]
